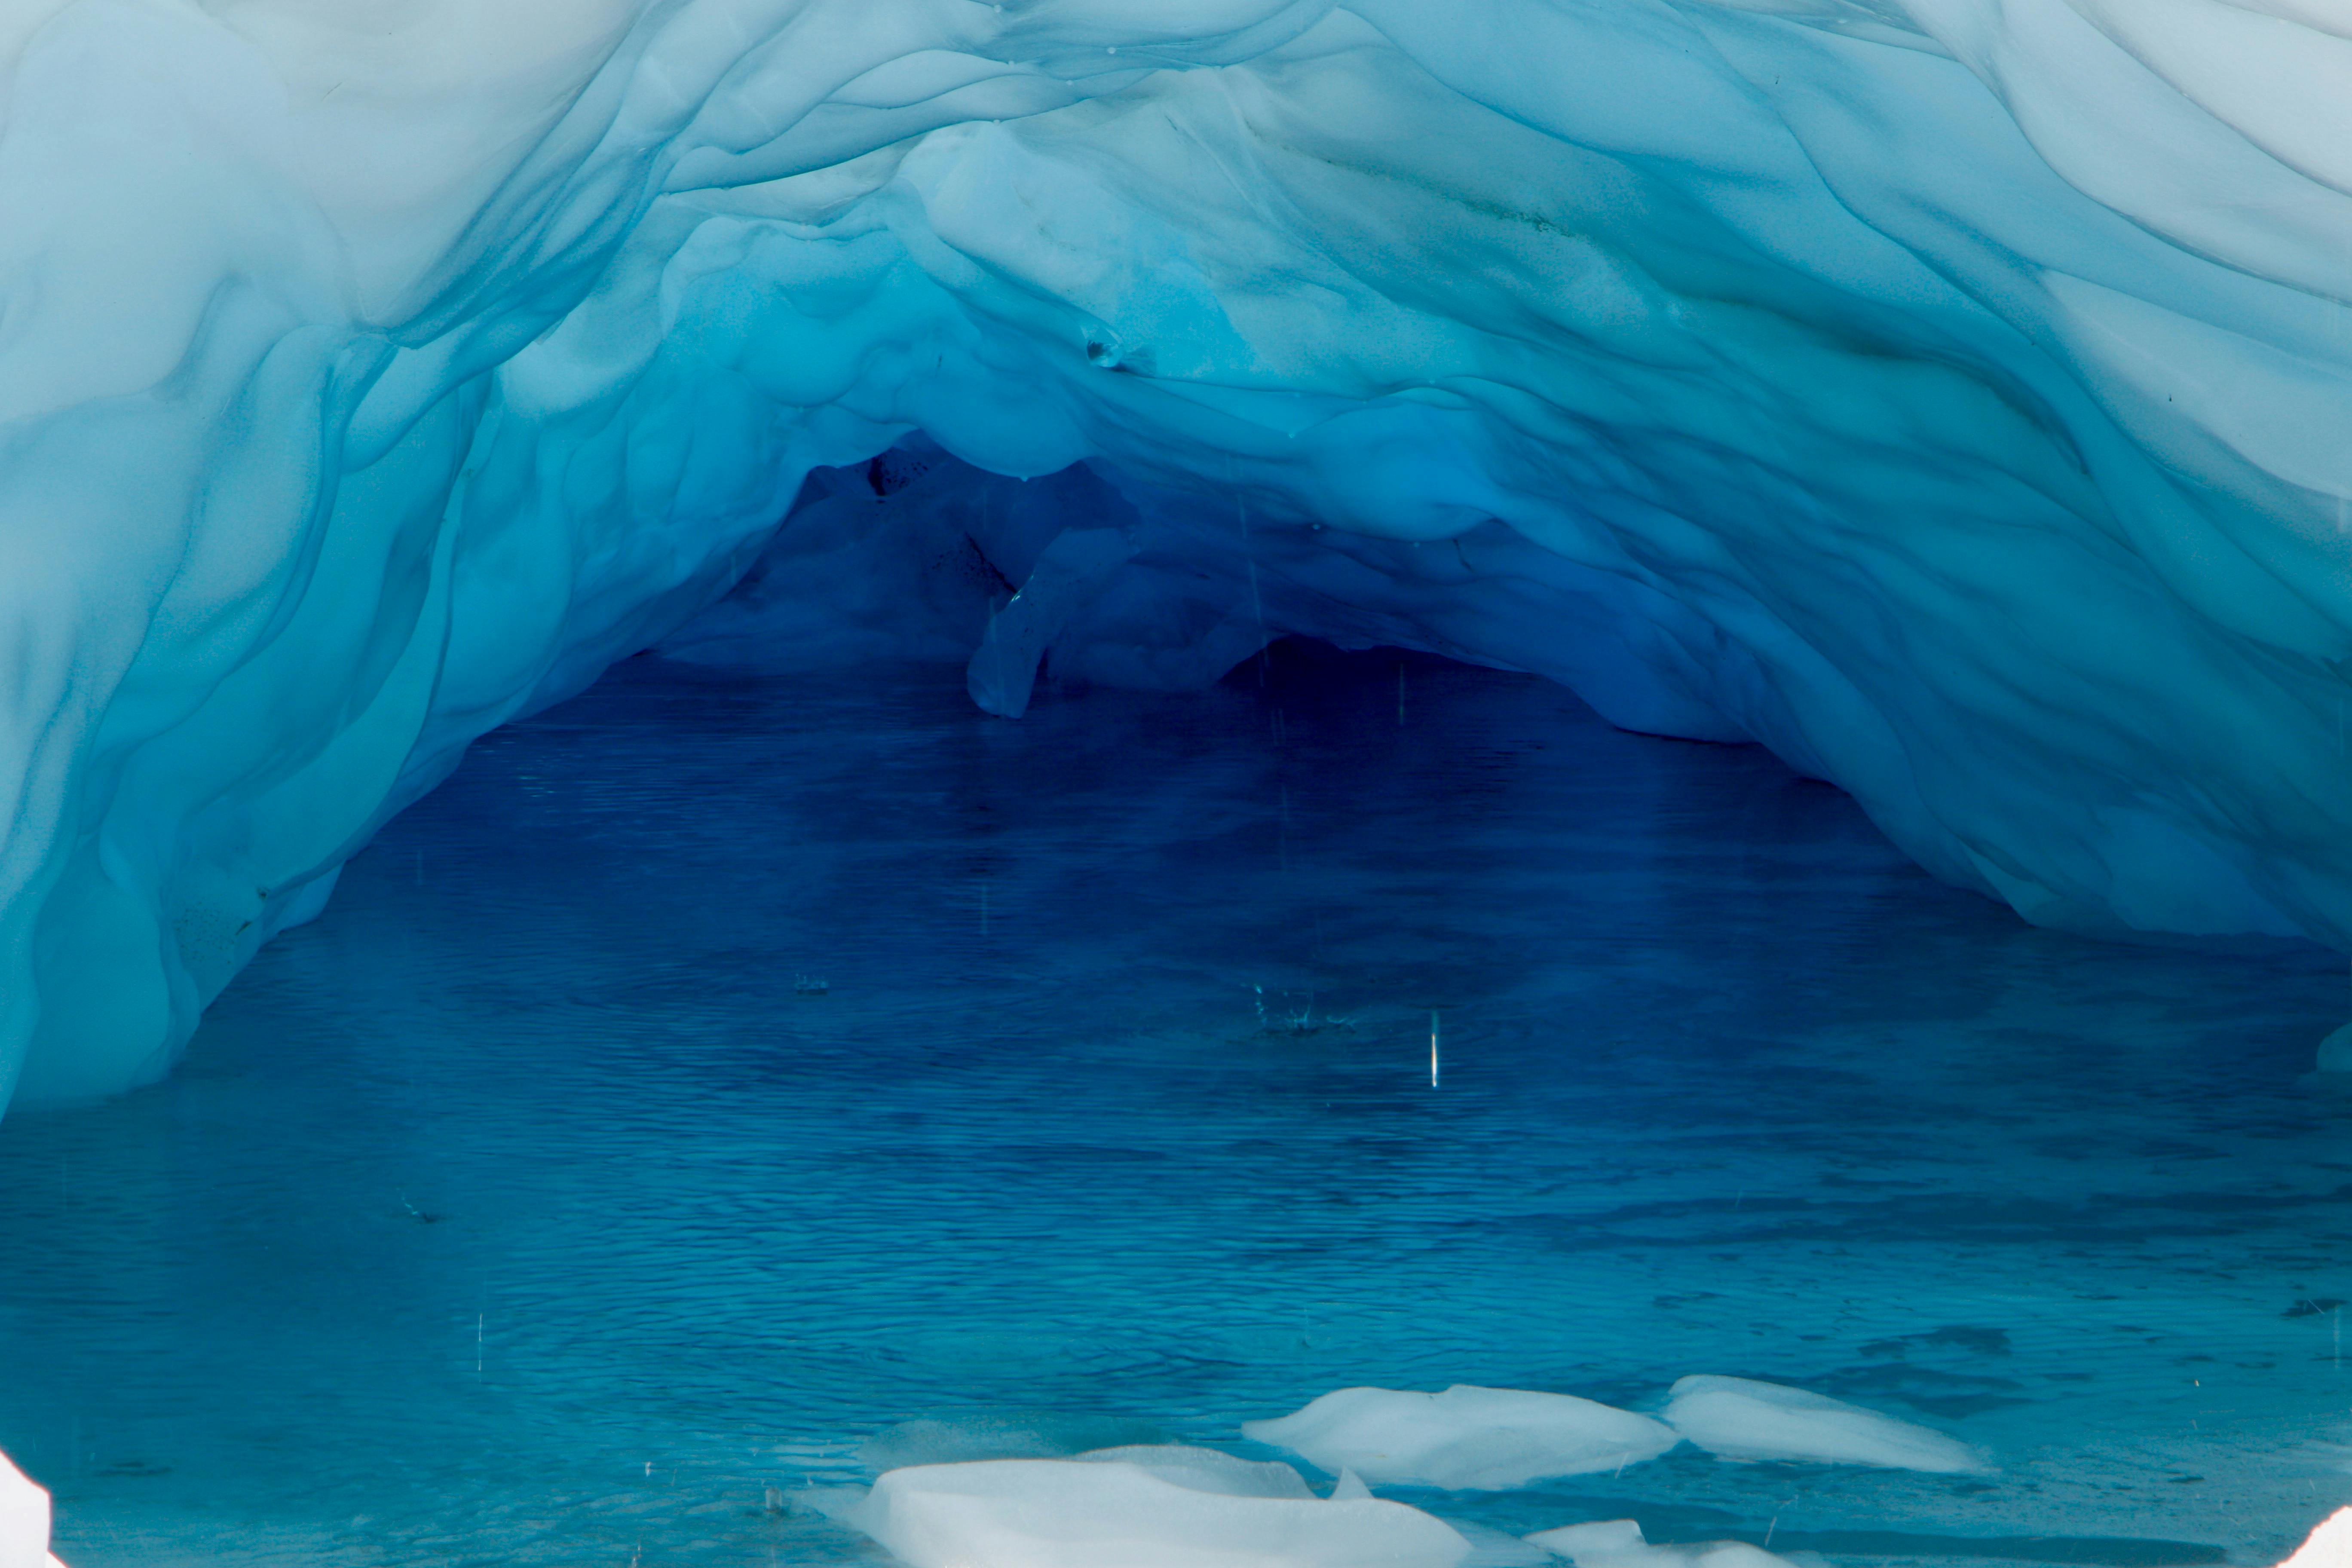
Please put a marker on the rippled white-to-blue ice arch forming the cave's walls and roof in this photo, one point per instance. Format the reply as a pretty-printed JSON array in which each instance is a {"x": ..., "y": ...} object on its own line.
[{"x": 1946, "y": 394}]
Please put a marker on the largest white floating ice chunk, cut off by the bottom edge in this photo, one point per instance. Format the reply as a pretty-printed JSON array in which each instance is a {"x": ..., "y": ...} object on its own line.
[{"x": 1109, "y": 1513}]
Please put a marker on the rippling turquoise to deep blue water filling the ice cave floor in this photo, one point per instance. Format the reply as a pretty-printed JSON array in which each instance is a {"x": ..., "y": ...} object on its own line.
[{"x": 726, "y": 1071}]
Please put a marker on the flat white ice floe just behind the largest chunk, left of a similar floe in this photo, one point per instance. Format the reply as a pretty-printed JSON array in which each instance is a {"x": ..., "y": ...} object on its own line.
[{"x": 1464, "y": 1440}]
